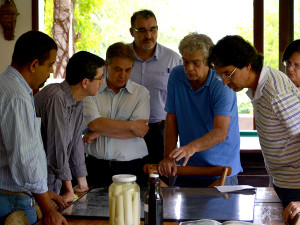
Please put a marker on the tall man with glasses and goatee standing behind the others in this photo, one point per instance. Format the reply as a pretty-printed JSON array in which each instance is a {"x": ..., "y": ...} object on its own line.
[{"x": 151, "y": 69}]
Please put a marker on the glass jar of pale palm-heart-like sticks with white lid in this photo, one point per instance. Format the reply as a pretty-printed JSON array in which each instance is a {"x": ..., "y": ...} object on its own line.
[{"x": 124, "y": 200}]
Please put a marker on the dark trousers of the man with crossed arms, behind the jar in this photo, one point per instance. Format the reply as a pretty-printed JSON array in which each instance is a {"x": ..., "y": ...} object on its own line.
[{"x": 100, "y": 171}]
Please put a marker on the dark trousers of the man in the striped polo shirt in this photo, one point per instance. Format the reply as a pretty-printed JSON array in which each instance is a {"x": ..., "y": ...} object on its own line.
[{"x": 287, "y": 195}]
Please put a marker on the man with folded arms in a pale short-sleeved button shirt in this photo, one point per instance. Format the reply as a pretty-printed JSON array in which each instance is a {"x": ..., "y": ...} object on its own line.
[{"x": 117, "y": 120}]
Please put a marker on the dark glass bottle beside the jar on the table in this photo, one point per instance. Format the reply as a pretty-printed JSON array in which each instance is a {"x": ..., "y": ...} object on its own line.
[{"x": 153, "y": 208}]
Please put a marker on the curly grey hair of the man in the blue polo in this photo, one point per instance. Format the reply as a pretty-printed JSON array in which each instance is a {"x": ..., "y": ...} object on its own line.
[{"x": 194, "y": 42}]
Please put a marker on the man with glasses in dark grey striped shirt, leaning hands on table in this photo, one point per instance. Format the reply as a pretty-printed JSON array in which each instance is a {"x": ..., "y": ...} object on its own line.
[{"x": 60, "y": 107}]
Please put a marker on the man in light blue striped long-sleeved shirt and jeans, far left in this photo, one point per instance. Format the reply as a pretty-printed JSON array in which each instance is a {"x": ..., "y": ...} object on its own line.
[{"x": 23, "y": 166}]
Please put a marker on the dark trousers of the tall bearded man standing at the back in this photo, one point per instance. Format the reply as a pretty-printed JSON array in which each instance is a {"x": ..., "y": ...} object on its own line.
[{"x": 155, "y": 142}]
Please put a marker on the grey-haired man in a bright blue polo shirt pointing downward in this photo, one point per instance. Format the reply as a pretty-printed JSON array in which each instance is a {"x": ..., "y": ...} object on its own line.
[{"x": 203, "y": 112}]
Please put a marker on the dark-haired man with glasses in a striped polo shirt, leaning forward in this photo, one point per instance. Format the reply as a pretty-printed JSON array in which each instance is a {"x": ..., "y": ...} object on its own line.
[{"x": 276, "y": 102}]
